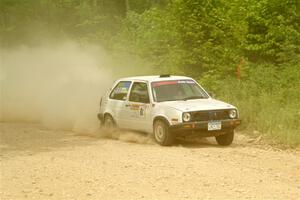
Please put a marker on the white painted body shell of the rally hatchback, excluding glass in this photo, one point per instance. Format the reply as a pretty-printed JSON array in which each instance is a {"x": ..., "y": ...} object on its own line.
[{"x": 140, "y": 116}]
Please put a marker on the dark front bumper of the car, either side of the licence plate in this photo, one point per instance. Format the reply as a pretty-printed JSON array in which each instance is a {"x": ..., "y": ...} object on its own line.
[{"x": 203, "y": 125}]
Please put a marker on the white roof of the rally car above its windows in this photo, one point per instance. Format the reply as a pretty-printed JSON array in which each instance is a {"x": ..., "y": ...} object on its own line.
[{"x": 153, "y": 78}]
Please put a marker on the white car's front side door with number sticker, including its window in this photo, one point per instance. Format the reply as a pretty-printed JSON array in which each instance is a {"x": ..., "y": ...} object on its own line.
[{"x": 138, "y": 107}]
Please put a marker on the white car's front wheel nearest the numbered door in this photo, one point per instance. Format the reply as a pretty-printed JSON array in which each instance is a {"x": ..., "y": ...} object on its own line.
[{"x": 161, "y": 133}]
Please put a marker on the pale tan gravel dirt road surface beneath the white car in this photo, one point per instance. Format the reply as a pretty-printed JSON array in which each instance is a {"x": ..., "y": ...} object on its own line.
[{"x": 37, "y": 163}]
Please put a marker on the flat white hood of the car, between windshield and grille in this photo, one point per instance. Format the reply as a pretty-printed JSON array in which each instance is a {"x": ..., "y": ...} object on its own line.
[{"x": 198, "y": 104}]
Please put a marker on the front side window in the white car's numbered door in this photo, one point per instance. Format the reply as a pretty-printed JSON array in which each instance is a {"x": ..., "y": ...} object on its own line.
[{"x": 139, "y": 93}]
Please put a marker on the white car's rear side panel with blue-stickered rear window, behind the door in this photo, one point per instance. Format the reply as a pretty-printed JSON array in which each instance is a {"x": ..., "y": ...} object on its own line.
[{"x": 118, "y": 101}]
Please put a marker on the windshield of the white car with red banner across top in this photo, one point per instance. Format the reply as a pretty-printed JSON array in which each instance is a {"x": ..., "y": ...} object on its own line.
[{"x": 177, "y": 90}]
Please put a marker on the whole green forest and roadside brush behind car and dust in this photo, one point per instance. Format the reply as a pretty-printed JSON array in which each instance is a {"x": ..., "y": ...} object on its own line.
[{"x": 246, "y": 52}]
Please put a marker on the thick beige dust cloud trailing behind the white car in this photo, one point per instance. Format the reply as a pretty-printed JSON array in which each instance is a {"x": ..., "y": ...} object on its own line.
[{"x": 57, "y": 86}]
